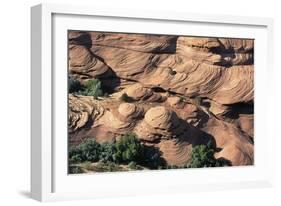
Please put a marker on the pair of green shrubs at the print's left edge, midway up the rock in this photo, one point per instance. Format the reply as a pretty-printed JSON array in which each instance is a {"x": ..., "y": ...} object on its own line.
[{"x": 92, "y": 87}]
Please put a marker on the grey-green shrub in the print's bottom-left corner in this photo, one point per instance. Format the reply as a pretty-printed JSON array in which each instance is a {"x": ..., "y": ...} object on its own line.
[{"x": 88, "y": 150}]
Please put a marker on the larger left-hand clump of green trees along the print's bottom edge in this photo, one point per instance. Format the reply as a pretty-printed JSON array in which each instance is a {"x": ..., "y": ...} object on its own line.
[{"x": 128, "y": 150}]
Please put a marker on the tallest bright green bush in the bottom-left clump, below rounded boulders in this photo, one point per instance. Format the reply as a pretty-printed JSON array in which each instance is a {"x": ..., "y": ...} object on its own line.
[{"x": 128, "y": 148}]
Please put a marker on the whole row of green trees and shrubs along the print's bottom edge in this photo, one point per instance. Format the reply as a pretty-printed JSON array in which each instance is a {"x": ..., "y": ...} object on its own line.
[{"x": 130, "y": 151}]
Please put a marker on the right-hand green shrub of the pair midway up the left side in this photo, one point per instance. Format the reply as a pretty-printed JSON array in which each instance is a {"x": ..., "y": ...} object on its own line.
[{"x": 92, "y": 88}]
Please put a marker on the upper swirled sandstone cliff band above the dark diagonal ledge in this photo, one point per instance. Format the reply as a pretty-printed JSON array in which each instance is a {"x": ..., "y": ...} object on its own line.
[{"x": 195, "y": 67}]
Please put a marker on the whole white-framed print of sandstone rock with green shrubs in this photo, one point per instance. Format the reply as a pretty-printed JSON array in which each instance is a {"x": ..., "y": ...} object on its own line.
[{"x": 134, "y": 102}]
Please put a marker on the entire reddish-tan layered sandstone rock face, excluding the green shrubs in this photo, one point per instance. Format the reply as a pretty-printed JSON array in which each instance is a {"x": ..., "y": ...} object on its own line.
[{"x": 185, "y": 91}]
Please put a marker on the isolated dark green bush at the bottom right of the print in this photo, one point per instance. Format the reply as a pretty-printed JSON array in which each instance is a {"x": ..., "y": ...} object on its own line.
[{"x": 203, "y": 156}]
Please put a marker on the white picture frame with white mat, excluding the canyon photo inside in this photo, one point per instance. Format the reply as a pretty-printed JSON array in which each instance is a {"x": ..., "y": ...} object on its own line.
[{"x": 49, "y": 179}]
